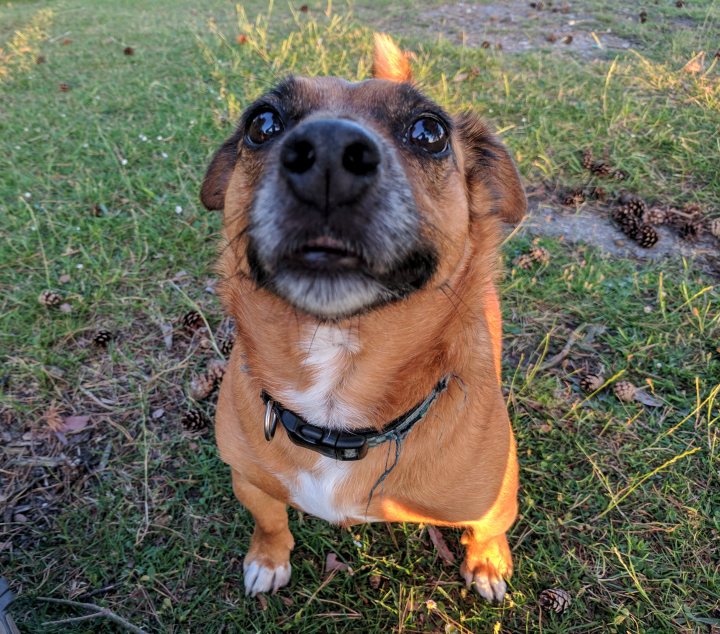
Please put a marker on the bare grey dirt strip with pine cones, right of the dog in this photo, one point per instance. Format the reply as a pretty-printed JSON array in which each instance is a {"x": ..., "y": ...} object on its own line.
[{"x": 590, "y": 226}]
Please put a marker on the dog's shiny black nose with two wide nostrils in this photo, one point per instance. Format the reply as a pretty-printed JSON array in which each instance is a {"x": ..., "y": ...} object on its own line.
[{"x": 329, "y": 162}]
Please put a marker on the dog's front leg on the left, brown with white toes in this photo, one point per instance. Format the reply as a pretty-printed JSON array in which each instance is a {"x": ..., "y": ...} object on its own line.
[{"x": 267, "y": 563}]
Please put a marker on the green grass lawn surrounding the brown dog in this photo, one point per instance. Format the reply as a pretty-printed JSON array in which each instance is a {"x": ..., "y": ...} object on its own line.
[{"x": 620, "y": 502}]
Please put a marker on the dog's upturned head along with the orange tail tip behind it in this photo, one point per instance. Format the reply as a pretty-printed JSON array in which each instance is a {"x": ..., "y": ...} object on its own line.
[{"x": 340, "y": 197}]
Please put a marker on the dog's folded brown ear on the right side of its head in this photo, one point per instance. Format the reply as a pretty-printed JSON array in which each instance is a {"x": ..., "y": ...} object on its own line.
[{"x": 488, "y": 163}]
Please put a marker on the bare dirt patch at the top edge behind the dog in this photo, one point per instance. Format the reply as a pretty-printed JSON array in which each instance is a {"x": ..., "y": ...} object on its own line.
[{"x": 514, "y": 26}]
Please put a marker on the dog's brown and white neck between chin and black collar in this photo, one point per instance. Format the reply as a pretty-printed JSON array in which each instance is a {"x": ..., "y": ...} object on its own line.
[{"x": 364, "y": 371}]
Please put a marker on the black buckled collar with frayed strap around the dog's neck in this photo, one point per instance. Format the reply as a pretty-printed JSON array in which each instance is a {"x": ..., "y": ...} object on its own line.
[{"x": 343, "y": 445}]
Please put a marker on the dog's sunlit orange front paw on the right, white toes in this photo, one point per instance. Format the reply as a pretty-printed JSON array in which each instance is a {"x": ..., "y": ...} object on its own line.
[{"x": 486, "y": 567}]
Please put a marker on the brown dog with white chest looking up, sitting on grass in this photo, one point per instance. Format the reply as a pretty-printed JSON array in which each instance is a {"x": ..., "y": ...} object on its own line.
[{"x": 361, "y": 225}]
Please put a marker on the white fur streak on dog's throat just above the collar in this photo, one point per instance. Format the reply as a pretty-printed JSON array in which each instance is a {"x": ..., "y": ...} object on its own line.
[{"x": 329, "y": 352}]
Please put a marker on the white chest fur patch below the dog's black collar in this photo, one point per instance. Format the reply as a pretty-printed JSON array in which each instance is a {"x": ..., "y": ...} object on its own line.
[{"x": 315, "y": 492}]
